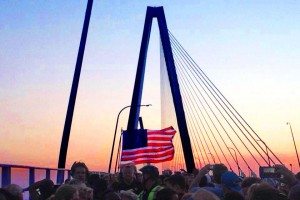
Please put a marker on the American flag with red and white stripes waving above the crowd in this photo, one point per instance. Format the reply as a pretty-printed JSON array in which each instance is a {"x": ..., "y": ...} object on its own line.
[{"x": 148, "y": 146}]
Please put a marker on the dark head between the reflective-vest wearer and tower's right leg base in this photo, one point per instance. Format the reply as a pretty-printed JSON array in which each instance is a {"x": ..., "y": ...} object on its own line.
[{"x": 176, "y": 183}]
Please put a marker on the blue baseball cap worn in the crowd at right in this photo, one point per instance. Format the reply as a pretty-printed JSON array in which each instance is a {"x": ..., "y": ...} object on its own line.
[{"x": 231, "y": 181}]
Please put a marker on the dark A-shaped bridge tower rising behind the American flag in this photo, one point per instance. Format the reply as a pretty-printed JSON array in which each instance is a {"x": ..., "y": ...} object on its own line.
[{"x": 158, "y": 12}]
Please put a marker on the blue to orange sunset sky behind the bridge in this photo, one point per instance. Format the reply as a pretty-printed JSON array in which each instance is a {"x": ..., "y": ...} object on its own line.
[{"x": 250, "y": 50}]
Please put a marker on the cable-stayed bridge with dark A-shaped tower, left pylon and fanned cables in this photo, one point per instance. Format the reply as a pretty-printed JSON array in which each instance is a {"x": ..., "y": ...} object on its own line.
[{"x": 210, "y": 130}]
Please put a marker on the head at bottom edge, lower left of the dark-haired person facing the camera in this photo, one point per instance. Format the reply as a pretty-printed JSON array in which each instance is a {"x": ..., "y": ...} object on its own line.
[{"x": 66, "y": 192}]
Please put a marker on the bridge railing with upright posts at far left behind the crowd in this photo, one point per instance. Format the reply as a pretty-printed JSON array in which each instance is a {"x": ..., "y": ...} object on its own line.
[{"x": 6, "y": 171}]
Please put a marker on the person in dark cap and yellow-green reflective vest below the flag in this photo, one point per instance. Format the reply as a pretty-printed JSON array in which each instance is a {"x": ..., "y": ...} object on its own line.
[{"x": 150, "y": 183}]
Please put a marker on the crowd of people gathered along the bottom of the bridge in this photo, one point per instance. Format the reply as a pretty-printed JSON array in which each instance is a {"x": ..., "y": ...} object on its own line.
[{"x": 212, "y": 182}]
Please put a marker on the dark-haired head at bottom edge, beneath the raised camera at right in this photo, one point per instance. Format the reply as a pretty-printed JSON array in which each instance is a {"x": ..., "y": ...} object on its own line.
[{"x": 263, "y": 191}]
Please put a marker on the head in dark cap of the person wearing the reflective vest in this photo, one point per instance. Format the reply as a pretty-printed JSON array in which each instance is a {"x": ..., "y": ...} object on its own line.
[{"x": 150, "y": 176}]
